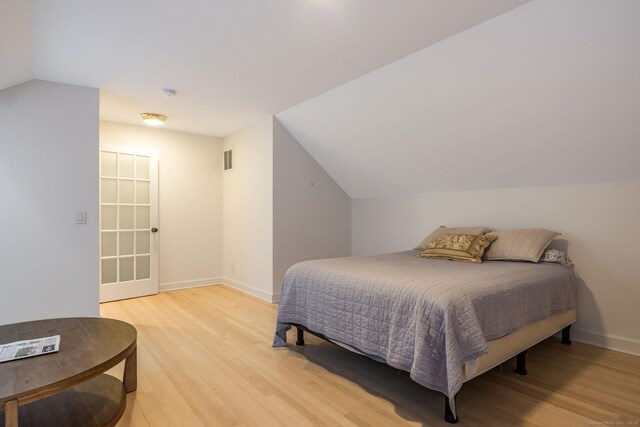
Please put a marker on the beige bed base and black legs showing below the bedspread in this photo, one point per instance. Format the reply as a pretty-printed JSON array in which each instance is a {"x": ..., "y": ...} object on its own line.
[{"x": 499, "y": 350}]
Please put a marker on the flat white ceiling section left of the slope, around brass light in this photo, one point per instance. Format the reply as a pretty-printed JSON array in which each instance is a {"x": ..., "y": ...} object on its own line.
[{"x": 231, "y": 62}]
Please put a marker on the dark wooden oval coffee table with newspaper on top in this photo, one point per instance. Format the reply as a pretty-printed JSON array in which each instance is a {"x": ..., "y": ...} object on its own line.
[{"x": 68, "y": 387}]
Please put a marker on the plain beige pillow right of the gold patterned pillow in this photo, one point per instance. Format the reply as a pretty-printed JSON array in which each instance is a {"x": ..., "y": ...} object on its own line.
[{"x": 519, "y": 245}]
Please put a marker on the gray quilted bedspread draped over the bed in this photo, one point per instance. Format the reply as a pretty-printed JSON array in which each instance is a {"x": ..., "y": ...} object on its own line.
[{"x": 427, "y": 317}]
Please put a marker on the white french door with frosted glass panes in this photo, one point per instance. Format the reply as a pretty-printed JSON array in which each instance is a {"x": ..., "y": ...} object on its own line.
[{"x": 128, "y": 222}]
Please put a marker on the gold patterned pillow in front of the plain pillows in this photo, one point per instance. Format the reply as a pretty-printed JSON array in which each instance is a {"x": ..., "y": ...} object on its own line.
[{"x": 458, "y": 247}]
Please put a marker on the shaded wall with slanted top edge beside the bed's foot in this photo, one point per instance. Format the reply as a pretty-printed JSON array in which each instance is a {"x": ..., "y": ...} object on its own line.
[{"x": 311, "y": 213}]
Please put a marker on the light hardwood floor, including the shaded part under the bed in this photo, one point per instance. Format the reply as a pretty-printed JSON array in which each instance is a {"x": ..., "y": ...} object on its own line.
[{"x": 205, "y": 359}]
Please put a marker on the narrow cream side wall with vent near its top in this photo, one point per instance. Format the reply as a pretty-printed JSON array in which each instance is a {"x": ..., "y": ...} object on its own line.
[{"x": 248, "y": 210}]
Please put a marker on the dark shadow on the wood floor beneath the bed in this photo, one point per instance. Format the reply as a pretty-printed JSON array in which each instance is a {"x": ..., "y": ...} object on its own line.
[{"x": 498, "y": 397}]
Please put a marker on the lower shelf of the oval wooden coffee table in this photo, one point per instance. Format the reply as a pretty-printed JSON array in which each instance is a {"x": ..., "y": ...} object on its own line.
[{"x": 99, "y": 401}]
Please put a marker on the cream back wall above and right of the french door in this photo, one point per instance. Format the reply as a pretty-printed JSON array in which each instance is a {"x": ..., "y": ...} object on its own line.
[{"x": 190, "y": 201}]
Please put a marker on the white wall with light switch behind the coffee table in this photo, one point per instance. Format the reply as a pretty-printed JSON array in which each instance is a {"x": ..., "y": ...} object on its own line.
[{"x": 48, "y": 171}]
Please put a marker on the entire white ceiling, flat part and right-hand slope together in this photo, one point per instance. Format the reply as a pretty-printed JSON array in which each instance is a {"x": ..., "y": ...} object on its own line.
[{"x": 390, "y": 97}]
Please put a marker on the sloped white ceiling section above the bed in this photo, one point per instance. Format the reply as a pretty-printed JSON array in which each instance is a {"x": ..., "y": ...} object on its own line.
[{"x": 548, "y": 93}]
